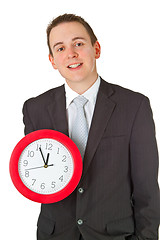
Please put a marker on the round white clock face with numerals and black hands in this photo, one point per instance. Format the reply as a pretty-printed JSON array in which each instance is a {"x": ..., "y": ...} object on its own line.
[{"x": 46, "y": 166}]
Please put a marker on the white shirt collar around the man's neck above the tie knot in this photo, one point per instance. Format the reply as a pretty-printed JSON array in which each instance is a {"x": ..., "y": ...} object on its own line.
[{"x": 90, "y": 94}]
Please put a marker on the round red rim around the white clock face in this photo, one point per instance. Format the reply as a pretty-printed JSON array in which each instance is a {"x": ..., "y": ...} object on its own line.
[{"x": 68, "y": 143}]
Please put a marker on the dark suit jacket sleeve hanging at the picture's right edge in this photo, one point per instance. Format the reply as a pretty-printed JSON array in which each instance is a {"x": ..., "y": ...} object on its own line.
[{"x": 144, "y": 172}]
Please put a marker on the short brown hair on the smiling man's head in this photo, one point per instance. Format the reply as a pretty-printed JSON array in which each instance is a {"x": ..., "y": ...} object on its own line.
[{"x": 70, "y": 18}]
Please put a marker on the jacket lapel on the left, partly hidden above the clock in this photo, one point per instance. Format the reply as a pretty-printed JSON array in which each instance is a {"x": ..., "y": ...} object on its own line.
[{"x": 57, "y": 110}]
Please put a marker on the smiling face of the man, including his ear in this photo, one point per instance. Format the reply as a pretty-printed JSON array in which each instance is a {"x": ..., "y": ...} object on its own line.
[{"x": 73, "y": 54}]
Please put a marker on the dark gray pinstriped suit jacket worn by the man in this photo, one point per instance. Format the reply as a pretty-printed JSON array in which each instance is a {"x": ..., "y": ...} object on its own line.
[{"x": 118, "y": 195}]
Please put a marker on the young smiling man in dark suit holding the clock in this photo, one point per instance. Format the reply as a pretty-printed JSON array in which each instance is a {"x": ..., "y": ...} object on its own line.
[{"x": 118, "y": 194}]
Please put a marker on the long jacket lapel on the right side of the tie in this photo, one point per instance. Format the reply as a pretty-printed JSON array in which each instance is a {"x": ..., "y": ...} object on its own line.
[{"x": 103, "y": 110}]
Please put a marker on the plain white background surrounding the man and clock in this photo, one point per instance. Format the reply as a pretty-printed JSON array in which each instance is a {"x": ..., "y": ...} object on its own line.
[{"x": 129, "y": 34}]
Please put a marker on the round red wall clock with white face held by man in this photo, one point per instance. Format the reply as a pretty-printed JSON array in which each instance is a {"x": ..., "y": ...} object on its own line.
[{"x": 46, "y": 166}]
